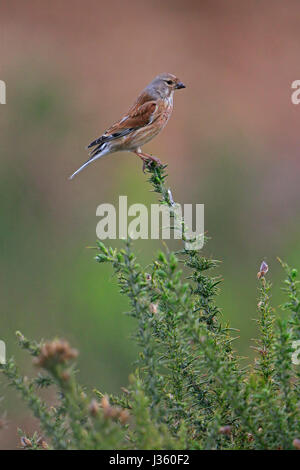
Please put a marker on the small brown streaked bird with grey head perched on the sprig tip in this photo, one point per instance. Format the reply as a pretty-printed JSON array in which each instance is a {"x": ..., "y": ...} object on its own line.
[{"x": 144, "y": 120}]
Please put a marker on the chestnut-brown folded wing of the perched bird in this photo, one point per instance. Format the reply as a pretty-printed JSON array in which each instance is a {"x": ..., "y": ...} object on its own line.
[{"x": 141, "y": 114}]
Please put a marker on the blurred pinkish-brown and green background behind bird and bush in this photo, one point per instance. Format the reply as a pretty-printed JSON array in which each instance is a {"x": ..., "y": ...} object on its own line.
[{"x": 73, "y": 68}]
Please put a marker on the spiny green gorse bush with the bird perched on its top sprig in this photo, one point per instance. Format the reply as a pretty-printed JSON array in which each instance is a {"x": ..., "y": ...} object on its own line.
[{"x": 189, "y": 389}]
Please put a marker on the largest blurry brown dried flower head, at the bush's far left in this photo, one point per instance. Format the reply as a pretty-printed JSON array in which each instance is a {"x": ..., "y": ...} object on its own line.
[{"x": 55, "y": 352}]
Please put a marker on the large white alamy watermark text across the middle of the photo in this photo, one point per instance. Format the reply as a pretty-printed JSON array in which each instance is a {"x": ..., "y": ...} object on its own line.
[{"x": 176, "y": 220}]
